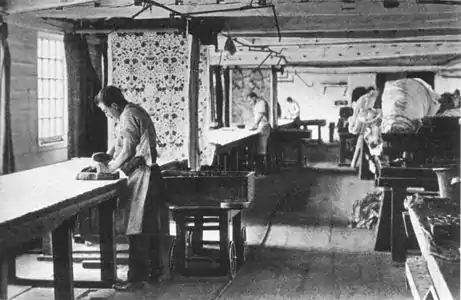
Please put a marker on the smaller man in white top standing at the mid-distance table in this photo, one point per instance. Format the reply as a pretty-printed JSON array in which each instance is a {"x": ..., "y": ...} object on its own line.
[{"x": 261, "y": 124}]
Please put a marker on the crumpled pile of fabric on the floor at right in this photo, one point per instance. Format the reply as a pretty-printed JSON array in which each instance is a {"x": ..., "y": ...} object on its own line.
[{"x": 365, "y": 211}]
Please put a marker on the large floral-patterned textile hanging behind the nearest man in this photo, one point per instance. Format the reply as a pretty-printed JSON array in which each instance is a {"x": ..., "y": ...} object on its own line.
[{"x": 152, "y": 69}]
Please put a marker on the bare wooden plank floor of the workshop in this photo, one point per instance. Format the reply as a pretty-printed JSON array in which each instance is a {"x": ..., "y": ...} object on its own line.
[{"x": 309, "y": 253}]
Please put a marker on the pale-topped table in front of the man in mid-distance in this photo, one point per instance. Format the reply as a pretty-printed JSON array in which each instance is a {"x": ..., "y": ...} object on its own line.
[{"x": 239, "y": 145}]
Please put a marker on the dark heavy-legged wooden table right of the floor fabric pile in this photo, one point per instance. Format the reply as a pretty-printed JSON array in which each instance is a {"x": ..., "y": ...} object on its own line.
[{"x": 397, "y": 181}]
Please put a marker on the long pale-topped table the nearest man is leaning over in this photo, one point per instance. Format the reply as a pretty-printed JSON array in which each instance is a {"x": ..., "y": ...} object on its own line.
[{"x": 45, "y": 199}]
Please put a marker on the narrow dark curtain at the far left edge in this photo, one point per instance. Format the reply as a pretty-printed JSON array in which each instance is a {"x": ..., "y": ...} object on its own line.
[{"x": 6, "y": 140}]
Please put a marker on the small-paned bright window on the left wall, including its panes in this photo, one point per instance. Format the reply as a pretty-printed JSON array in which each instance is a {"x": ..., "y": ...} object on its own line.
[{"x": 52, "y": 98}]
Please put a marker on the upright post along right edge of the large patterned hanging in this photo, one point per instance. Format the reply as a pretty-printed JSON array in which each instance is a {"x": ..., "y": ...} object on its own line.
[{"x": 193, "y": 103}]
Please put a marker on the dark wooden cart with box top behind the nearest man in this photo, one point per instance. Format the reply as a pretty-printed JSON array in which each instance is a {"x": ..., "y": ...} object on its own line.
[{"x": 204, "y": 201}]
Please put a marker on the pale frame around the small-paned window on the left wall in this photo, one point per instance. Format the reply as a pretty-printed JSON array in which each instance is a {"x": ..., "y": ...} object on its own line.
[{"x": 43, "y": 146}]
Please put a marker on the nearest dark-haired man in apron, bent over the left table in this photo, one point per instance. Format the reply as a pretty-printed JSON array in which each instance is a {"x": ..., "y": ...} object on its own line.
[{"x": 146, "y": 218}]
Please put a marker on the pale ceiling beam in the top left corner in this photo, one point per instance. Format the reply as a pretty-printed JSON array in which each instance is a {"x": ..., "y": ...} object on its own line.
[{"x": 22, "y": 6}]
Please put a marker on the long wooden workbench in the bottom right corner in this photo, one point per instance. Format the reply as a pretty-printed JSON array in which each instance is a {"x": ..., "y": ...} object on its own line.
[{"x": 444, "y": 275}]
